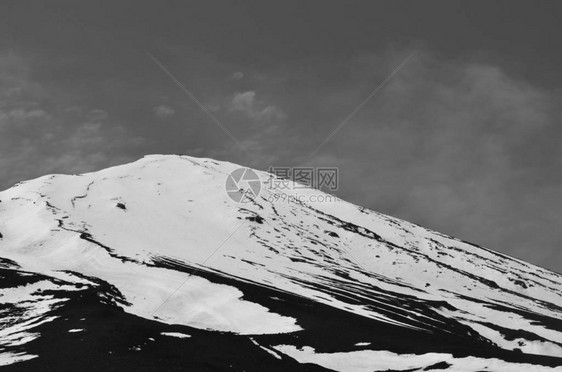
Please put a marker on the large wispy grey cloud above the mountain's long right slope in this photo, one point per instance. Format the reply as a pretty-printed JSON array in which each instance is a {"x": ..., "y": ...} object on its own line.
[{"x": 462, "y": 148}]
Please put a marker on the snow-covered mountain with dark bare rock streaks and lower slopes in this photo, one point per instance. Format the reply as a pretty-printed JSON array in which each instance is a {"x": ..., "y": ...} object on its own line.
[{"x": 153, "y": 266}]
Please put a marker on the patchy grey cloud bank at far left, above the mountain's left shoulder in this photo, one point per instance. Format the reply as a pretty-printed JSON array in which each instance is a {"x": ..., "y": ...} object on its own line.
[{"x": 40, "y": 133}]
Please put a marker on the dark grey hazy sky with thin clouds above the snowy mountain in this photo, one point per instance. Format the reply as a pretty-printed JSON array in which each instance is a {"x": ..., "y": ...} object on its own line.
[{"x": 464, "y": 139}]
